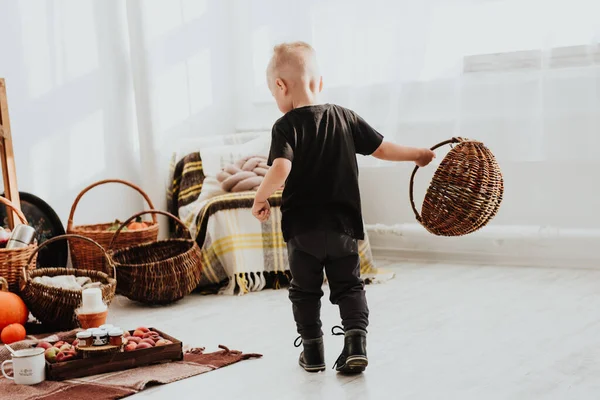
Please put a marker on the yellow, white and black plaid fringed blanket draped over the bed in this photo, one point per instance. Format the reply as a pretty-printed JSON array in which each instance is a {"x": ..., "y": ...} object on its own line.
[{"x": 240, "y": 254}]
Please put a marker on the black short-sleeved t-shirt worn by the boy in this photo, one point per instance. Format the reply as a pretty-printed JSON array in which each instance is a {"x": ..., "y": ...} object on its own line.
[{"x": 321, "y": 192}]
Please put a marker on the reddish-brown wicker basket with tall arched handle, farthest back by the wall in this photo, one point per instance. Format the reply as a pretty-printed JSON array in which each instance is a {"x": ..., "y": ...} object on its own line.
[{"x": 85, "y": 255}]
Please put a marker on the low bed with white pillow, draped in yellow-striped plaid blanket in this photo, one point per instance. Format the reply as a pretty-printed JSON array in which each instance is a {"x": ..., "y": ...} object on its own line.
[{"x": 239, "y": 254}]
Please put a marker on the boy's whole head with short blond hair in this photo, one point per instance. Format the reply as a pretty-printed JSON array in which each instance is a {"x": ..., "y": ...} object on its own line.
[{"x": 293, "y": 74}]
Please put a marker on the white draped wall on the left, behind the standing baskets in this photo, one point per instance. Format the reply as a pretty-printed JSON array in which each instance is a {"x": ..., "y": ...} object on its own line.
[{"x": 100, "y": 89}]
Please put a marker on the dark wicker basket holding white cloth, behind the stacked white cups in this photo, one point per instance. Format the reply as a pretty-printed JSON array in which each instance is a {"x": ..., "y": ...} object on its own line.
[{"x": 55, "y": 307}]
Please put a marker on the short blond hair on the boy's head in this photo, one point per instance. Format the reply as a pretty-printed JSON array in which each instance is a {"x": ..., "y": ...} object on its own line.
[{"x": 294, "y": 62}]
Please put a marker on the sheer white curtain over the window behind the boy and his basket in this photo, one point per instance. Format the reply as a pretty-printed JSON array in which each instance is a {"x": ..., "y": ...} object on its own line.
[{"x": 523, "y": 76}]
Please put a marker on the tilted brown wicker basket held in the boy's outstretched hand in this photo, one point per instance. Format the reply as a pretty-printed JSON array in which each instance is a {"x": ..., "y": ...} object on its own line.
[{"x": 465, "y": 192}]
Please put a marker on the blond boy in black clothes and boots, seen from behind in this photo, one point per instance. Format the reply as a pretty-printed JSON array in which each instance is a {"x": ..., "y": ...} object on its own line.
[{"x": 313, "y": 151}]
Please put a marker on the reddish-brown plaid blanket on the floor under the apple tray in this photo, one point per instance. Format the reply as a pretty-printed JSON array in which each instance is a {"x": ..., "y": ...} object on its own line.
[{"x": 116, "y": 385}]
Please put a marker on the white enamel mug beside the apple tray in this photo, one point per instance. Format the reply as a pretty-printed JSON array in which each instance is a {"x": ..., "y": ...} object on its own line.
[{"x": 29, "y": 366}]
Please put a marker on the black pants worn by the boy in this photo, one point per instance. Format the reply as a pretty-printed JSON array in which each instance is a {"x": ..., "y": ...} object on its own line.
[{"x": 338, "y": 253}]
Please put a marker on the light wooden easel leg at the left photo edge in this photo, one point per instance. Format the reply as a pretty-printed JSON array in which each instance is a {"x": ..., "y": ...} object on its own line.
[{"x": 7, "y": 158}]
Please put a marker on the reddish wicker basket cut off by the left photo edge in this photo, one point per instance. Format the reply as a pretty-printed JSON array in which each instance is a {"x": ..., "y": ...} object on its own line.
[{"x": 12, "y": 261}]
